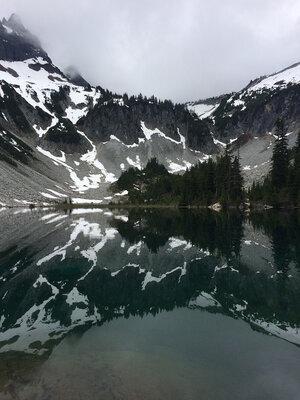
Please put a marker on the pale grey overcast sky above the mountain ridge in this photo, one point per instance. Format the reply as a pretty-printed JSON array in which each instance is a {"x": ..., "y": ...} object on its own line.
[{"x": 178, "y": 49}]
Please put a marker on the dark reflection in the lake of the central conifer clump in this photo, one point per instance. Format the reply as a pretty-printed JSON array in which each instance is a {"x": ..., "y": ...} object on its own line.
[{"x": 217, "y": 233}]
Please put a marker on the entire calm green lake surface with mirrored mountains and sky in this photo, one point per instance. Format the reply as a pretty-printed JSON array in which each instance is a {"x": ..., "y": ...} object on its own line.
[{"x": 149, "y": 304}]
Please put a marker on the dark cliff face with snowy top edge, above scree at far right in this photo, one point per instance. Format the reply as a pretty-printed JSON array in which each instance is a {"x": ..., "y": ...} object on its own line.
[{"x": 254, "y": 110}]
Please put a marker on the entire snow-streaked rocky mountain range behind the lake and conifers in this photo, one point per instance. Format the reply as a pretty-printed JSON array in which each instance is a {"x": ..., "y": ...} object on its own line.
[{"x": 61, "y": 137}]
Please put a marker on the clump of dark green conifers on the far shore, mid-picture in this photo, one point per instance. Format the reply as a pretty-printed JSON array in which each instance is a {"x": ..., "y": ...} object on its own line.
[{"x": 203, "y": 184}]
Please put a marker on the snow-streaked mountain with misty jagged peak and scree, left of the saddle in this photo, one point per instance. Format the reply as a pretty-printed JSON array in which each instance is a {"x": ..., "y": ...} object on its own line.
[{"x": 62, "y": 137}]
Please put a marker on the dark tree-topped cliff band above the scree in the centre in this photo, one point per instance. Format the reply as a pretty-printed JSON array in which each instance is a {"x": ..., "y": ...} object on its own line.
[{"x": 121, "y": 116}]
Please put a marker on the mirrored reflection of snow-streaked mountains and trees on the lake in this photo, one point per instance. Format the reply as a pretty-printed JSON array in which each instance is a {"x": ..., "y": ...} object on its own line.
[{"x": 62, "y": 273}]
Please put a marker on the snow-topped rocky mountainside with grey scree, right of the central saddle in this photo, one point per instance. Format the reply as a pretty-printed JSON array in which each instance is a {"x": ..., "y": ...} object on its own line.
[{"x": 246, "y": 119}]
